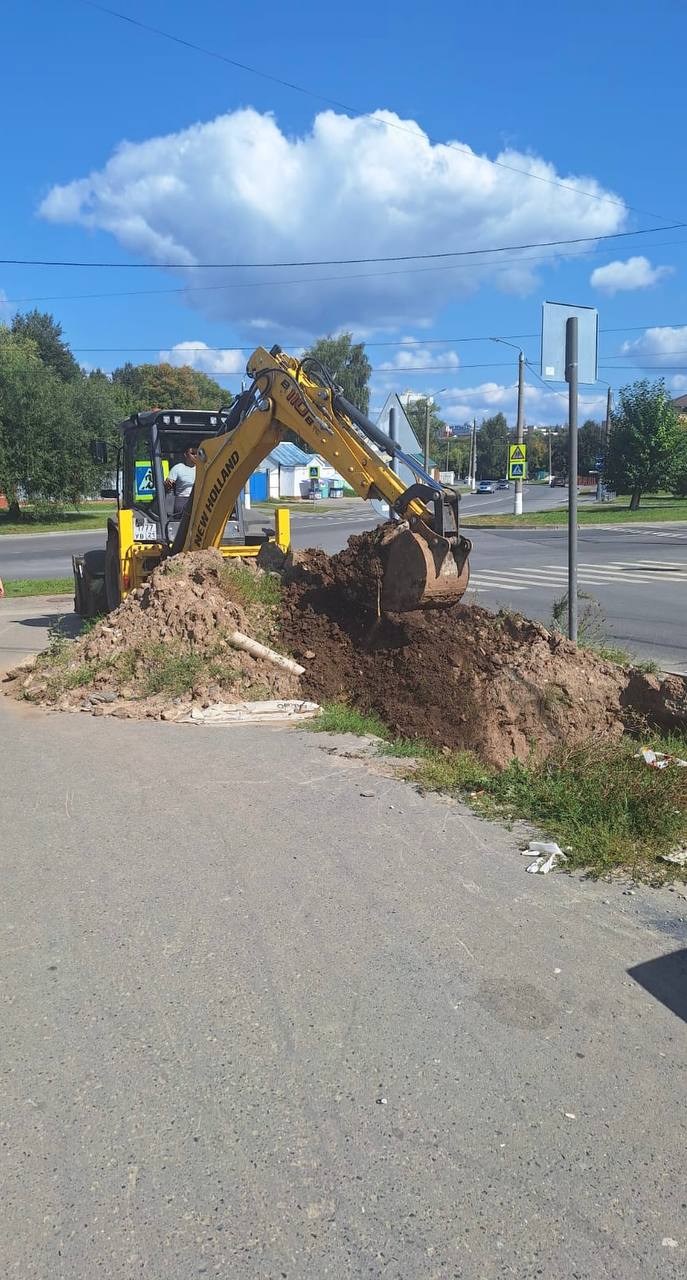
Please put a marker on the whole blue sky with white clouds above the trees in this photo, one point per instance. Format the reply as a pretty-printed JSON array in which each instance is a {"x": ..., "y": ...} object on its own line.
[{"x": 222, "y": 166}]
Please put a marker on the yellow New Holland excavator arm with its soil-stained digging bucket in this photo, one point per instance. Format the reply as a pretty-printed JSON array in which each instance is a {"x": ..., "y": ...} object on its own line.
[{"x": 425, "y": 557}]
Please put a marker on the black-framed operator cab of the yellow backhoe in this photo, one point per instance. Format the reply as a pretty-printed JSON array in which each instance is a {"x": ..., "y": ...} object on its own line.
[{"x": 154, "y": 442}]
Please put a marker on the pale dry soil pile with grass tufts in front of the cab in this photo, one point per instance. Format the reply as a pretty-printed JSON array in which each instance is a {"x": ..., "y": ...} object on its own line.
[{"x": 166, "y": 647}]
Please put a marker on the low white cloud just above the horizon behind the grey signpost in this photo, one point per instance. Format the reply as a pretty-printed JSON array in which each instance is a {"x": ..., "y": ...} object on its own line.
[{"x": 542, "y": 408}]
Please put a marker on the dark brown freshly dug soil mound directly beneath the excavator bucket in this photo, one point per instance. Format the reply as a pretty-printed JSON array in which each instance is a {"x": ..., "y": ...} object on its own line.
[{"x": 461, "y": 678}]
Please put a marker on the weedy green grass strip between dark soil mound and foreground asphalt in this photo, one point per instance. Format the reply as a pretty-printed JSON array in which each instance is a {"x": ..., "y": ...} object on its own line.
[{"x": 607, "y": 808}]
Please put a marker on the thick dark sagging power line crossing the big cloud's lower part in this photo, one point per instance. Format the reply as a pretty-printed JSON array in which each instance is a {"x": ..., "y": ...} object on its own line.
[{"x": 337, "y": 262}]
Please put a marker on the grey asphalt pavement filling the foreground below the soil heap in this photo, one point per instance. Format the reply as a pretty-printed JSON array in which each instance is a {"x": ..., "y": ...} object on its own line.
[{"x": 272, "y": 1014}]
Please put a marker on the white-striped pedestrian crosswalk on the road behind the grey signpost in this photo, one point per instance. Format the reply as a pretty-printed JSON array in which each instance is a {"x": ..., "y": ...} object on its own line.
[{"x": 611, "y": 574}]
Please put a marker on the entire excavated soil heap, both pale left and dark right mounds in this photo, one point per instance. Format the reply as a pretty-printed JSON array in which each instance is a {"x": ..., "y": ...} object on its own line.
[{"x": 500, "y": 685}]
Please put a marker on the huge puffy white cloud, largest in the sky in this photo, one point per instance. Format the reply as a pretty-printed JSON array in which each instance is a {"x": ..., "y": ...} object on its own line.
[{"x": 237, "y": 189}]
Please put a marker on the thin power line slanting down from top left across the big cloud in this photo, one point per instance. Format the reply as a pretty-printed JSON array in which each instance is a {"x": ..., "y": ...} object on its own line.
[{"x": 355, "y": 111}]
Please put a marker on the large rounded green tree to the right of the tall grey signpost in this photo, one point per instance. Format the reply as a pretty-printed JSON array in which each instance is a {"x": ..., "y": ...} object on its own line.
[{"x": 645, "y": 441}]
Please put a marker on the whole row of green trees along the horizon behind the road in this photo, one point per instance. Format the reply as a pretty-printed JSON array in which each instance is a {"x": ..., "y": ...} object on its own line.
[{"x": 52, "y": 409}]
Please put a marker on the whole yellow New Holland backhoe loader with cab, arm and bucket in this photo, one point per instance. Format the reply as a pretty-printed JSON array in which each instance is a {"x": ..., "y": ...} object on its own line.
[{"x": 424, "y": 556}]
